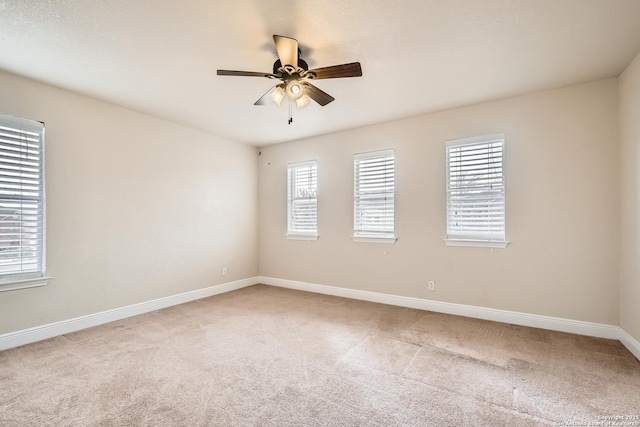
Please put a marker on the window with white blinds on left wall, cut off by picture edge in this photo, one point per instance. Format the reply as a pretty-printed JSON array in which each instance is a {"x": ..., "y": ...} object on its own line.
[{"x": 21, "y": 203}]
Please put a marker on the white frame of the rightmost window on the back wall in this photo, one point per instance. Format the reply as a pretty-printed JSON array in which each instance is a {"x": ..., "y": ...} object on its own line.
[{"x": 486, "y": 237}]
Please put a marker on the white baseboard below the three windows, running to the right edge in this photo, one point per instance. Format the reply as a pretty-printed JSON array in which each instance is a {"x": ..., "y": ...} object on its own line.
[{"x": 598, "y": 330}]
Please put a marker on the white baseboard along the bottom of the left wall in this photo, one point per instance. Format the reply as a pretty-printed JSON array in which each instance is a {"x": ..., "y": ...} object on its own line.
[{"x": 38, "y": 333}]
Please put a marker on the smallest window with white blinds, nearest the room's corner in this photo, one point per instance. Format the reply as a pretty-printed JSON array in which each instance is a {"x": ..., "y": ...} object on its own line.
[{"x": 302, "y": 206}]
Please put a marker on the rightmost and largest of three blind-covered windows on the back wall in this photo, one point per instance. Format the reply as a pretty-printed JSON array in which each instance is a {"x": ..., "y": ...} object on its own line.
[{"x": 475, "y": 192}]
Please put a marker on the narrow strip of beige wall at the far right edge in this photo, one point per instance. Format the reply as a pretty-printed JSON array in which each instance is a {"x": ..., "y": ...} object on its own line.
[{"x": 630, "y": 199}]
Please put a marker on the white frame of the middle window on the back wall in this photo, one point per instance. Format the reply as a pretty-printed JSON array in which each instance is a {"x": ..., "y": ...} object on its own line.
[{"x": 372, "y": 235}]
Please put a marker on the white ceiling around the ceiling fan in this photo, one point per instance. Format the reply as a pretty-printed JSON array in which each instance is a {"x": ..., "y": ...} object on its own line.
[{"x": 160, "y": 56}]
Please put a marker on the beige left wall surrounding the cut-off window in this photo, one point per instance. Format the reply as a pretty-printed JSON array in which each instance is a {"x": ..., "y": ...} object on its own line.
[{"x": 137, "y": 208}]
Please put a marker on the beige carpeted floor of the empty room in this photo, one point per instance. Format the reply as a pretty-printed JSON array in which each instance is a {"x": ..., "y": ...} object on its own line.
[{"x": 264, "y": 356}]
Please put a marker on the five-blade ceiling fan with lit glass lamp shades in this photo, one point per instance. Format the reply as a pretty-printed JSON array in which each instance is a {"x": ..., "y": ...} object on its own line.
[{"x": 295, "y": 75}]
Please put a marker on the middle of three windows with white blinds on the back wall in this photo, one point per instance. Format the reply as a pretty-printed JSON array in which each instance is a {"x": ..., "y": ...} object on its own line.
[{"x": 373, "y": 193}]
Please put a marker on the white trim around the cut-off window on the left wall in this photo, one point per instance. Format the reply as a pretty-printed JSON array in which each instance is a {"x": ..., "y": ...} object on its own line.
[{"x": 31, "y": 279}]
